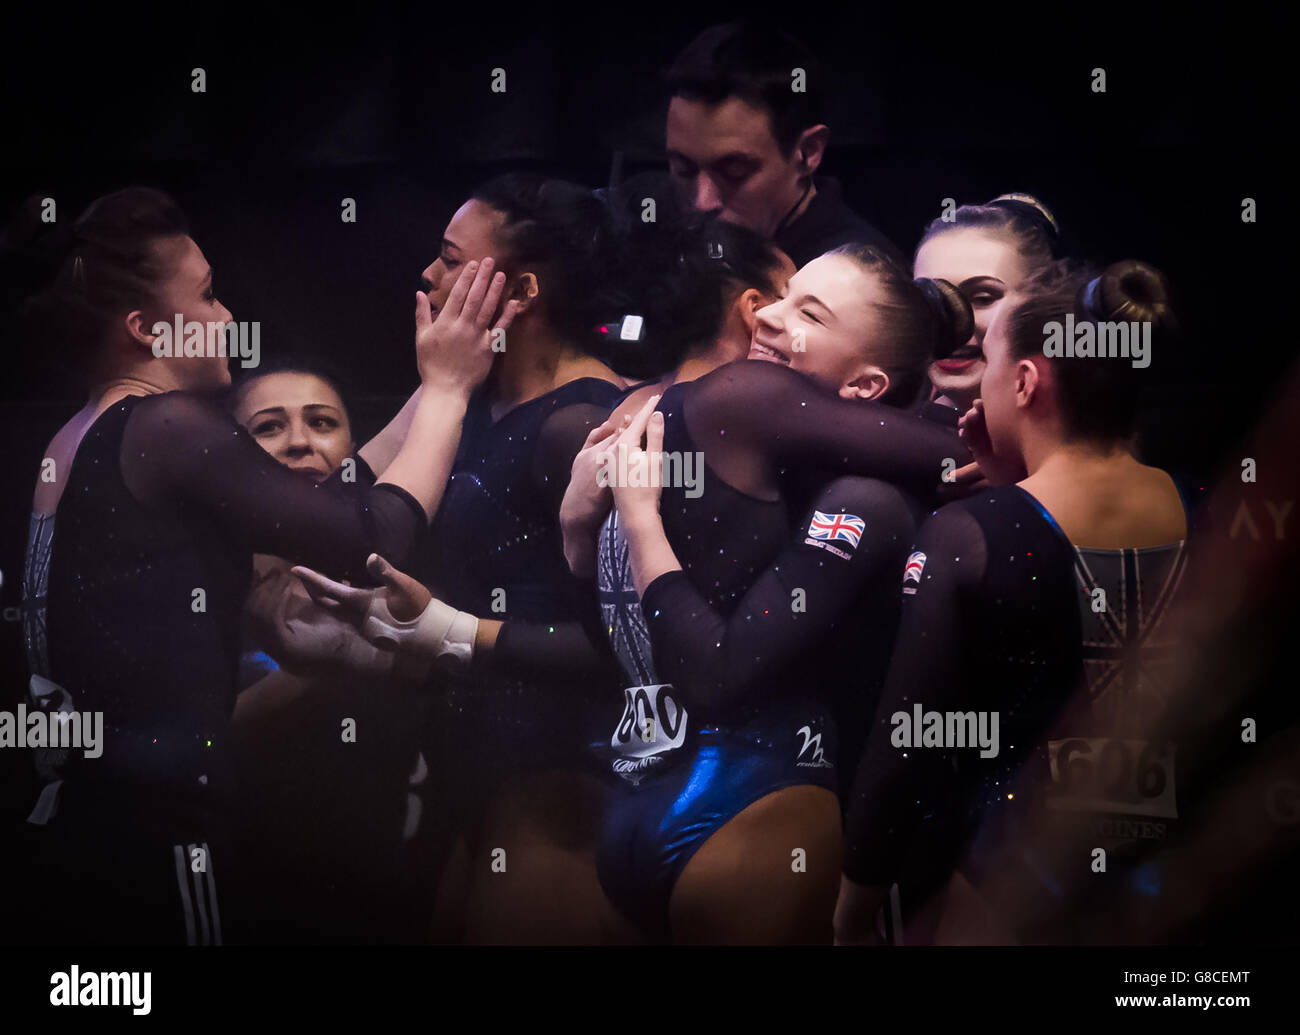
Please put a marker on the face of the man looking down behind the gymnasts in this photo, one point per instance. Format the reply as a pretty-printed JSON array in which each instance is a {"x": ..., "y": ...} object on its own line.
[{"x": 725, "y": 159}]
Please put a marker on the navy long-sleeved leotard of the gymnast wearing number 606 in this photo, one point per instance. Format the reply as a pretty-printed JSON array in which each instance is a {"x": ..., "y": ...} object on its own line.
[{"x": 1003, "y": 617}]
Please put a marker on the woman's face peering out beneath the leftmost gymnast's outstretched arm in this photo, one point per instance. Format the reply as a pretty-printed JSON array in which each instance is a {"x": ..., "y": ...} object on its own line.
[{"x": 300, "y": 421}]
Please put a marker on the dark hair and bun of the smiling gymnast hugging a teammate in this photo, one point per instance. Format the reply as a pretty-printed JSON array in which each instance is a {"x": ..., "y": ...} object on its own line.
[{"x": 925, "y": 321}]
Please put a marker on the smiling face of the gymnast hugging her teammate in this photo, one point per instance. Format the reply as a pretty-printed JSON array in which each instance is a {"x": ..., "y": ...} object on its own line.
[{"x": 824, "y": 324}]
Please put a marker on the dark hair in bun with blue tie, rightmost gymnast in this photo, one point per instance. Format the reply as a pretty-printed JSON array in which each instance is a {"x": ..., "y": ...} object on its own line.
[{"x": 1098, "y": 396}]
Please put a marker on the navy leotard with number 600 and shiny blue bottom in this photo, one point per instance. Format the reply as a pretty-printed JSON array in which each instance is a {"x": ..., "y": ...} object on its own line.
[{"x": 760, "y": 426}]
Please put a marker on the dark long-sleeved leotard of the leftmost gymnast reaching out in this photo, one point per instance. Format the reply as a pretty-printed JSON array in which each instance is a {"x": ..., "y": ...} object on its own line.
[{"x": 133, "y": 600}]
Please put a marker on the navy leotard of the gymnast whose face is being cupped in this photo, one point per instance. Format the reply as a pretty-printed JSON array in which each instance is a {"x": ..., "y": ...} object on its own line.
[{"x": 496, "y": 551}]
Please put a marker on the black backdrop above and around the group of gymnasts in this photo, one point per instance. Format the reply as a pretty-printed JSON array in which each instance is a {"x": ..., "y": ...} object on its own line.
[{"x": 392, "y": 106}]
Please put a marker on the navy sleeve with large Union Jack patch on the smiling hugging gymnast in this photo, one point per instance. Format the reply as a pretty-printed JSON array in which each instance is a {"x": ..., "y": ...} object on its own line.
[{"x": 820, "y": 622}]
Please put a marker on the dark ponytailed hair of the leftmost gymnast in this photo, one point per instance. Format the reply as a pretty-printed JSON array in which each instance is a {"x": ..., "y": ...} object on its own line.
[{"x": 67, "y": 283}]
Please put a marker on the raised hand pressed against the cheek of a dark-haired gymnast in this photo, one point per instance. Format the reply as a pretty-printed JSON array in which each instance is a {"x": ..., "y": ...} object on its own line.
[{"x": 454, "y": 350}]
